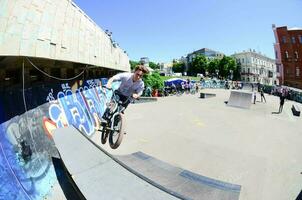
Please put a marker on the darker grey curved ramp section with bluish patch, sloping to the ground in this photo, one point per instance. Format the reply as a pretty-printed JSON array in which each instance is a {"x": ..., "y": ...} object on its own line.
[{"x": 183, "y": 182}]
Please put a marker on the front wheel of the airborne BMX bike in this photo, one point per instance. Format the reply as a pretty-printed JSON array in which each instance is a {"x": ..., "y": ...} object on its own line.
[{"x": 116, "y": 135}]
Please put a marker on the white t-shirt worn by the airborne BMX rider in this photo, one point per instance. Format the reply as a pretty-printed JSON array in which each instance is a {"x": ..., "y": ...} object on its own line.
[{"x": 128, "y": 86}]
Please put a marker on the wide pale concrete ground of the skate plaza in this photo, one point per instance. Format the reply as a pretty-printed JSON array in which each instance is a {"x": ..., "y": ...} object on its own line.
[{"x": 254, "y": 148}]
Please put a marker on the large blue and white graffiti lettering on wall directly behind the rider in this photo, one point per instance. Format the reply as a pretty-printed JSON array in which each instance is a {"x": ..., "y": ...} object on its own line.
[{"x": 82, "y": 109}]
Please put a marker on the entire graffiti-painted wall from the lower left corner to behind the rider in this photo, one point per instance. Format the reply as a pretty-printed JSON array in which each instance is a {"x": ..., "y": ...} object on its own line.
[{"x": 26, "y": 148}]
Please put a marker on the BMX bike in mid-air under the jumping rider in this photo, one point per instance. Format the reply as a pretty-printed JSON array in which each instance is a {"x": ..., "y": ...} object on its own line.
[{"x": 112, "y": 128}]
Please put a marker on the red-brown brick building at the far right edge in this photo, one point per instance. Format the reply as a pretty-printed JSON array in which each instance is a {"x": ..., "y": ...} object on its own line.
[{"x": 288, "y": 53}]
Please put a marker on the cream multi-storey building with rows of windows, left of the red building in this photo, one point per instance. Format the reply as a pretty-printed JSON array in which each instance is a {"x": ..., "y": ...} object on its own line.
[{"x": 256, "y": 68}]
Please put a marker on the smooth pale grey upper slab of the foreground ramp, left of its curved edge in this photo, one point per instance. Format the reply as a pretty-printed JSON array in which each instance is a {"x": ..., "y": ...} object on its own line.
[{"x": 96, "y": 174}]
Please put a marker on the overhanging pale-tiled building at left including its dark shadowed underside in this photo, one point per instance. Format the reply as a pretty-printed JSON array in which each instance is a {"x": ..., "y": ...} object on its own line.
[{"x": 58, "y": 38}]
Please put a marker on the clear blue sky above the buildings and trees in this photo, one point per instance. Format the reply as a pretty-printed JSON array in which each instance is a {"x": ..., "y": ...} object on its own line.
[{"x": 167, "y": 29}]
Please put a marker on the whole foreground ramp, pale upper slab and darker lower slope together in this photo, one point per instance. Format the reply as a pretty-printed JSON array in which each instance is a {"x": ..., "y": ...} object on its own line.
[{"x": 138, "y": 176}]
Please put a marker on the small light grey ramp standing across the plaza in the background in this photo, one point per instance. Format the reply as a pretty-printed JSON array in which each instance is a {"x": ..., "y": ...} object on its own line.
[{"x": 240, "y": 99}]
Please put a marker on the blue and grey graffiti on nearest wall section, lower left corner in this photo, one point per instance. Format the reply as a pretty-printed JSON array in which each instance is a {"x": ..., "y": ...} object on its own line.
[{"x": 25, "y": 156}]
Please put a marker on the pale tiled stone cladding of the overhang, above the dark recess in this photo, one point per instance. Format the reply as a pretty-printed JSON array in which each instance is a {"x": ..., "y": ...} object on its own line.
[{"x": 58, "y": 30}]
